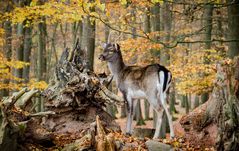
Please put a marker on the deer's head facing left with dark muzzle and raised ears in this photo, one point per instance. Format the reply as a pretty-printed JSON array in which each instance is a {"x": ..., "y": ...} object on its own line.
[{"x": 111, "y": 52}]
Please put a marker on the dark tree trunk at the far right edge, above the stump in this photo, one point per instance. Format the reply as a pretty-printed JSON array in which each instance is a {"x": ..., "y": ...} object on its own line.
[{"x": 233, "y": 27}]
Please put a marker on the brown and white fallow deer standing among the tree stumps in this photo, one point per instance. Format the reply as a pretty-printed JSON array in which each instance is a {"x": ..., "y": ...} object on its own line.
[{"x": 151, "y": 82}]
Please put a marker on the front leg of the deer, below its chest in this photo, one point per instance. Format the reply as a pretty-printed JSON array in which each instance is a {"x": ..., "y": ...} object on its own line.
[{"x": 130, "y": 108}]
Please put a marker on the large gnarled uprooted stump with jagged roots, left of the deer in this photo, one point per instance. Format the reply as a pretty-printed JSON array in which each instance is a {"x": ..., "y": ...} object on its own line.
[{"x": 73, "y": 100}]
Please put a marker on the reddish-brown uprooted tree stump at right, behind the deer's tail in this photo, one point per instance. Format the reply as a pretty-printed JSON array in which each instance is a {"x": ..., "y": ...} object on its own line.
[{"x": 216, "y": 122}]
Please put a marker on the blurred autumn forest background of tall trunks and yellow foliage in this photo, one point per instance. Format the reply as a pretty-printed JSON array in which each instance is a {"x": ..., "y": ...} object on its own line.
[{"x": 190, "y": 37}]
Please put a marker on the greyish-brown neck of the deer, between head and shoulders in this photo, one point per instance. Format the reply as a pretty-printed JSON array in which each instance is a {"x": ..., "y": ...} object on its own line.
[{"x": 116, "y": 66}]
